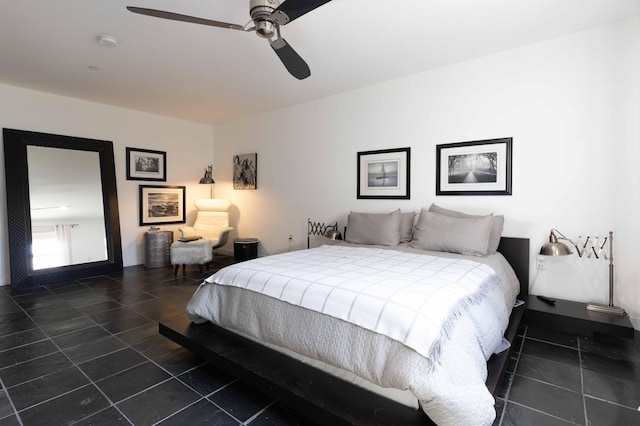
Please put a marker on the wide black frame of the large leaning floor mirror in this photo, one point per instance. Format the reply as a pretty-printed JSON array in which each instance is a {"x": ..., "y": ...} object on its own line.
[{"x": 19, "y": 216}]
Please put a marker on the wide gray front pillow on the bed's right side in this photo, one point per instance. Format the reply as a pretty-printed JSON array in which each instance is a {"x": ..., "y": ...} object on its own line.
[{"x": 452, "y": 234}]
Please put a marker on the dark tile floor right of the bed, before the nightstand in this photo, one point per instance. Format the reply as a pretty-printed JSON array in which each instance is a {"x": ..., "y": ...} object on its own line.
[{"x": 559, "y": 379}]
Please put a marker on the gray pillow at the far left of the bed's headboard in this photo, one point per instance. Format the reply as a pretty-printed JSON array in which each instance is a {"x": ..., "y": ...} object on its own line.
[{"x": 374, "y": 228}]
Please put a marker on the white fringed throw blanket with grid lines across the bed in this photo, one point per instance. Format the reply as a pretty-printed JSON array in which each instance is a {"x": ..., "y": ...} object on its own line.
[{"x": 411, "y": 298}]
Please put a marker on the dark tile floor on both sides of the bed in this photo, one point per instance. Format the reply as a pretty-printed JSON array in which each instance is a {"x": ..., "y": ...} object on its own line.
[{"x": 88, "y": 352}]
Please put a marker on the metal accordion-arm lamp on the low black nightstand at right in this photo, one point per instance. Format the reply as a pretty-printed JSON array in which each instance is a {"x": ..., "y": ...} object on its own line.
[{"x": 590, "y": 247}]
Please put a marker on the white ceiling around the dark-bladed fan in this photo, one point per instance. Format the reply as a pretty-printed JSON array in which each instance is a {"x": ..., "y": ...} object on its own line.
[{"x": 214, "y": 75}]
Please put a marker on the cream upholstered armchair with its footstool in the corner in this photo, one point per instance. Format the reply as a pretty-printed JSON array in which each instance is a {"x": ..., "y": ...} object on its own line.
[{"x": 212, "y": 224}]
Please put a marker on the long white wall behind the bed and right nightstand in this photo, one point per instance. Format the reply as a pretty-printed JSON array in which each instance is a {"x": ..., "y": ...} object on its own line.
[{"x": 571, "y": 105}]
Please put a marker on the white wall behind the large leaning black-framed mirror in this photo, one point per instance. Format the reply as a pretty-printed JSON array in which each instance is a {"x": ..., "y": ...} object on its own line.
[{"x": 189, "y": 148}]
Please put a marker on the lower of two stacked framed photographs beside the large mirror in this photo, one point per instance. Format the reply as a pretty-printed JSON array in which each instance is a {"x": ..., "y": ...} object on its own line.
[{"x": 161, "y": 205}]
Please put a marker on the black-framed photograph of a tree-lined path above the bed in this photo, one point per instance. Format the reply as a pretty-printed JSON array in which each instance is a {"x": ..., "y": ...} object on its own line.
[{"x": 474, "y": 168}]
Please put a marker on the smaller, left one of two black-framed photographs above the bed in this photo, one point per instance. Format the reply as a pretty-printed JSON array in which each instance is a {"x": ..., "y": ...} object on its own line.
[{"x": 384, "y": 174}]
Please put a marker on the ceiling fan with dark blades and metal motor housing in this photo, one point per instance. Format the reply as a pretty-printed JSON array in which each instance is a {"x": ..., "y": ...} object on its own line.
[{"x": 267, "y": 17}]
